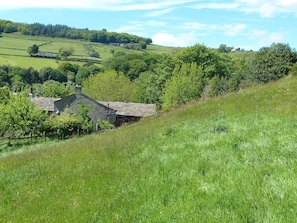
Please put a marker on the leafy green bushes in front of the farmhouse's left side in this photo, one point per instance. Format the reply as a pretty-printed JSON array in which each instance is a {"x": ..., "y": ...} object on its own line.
[{"x": 20, "y": 118}]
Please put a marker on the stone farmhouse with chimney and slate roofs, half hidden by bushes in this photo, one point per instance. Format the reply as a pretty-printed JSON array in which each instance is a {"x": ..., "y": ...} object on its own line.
[{"x": 116, "y": 113}]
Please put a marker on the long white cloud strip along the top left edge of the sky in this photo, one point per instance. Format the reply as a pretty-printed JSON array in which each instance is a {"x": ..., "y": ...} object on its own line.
[{"x": 108, "y": 5}]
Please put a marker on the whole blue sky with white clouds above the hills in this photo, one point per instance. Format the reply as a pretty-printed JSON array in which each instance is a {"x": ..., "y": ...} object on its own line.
[{"x": 248, "y": 24}]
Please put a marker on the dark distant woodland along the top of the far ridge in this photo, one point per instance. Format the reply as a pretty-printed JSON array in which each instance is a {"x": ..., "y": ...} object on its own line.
[{"x": 63, "y": 31}]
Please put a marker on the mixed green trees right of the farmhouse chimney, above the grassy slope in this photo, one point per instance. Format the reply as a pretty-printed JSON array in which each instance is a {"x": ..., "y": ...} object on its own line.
[{"x": 192, "y": 73}]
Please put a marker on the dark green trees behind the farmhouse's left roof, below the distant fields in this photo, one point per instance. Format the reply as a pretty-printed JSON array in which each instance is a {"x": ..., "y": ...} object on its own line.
[{"x": 48, "y": 81}]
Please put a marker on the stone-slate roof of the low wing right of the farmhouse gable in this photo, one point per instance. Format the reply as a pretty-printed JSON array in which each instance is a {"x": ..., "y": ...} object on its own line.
[{"x": 131, "y": 109}]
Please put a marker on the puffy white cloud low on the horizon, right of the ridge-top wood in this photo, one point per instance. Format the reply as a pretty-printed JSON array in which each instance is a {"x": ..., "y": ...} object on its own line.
[{"x": 179, "y": 40}]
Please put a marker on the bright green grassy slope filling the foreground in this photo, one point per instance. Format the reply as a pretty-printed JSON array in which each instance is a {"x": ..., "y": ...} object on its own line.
[{"x": 227, "y": 159}]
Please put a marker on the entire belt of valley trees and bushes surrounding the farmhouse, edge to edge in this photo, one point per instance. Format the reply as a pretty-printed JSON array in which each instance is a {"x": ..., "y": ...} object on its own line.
[{"x": 166, "y": 80}]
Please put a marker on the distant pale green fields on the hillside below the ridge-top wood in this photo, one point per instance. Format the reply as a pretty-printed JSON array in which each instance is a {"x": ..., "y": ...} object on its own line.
[{"x": 13, "y": 50}]
